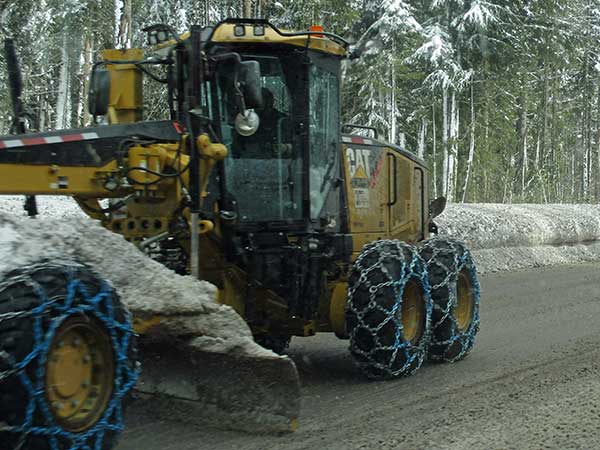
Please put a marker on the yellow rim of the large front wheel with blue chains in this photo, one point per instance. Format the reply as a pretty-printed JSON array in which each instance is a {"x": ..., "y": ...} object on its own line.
[{"x": 80, "y": 374}]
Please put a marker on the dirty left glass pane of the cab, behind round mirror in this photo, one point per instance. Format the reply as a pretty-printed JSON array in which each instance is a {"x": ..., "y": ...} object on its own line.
[{"x": 264, "y": 170}]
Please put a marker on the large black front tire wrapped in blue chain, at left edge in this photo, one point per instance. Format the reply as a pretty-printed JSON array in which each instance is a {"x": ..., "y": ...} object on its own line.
[{"x": 37, "y": 302}]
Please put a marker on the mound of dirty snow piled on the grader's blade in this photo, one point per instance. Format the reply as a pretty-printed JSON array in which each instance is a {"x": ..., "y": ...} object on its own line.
[{"x": 187, "y": 306}]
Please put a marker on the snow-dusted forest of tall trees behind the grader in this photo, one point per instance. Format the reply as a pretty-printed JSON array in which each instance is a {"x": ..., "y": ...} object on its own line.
[{"x": 501, "y": 97}]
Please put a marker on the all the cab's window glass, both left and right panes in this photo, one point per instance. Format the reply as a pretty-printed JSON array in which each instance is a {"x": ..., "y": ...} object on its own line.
[{"x": 298, "y": 134}]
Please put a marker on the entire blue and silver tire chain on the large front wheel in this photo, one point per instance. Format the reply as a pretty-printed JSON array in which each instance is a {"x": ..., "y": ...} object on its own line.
[{"x": 127, "y": 377}]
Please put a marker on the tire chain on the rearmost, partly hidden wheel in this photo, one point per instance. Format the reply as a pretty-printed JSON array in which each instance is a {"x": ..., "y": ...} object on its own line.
[{"x": 443, "y": 248}]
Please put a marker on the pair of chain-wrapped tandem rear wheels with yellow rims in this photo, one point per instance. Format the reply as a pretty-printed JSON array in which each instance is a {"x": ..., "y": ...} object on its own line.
[{"x": 407, "y": 303}]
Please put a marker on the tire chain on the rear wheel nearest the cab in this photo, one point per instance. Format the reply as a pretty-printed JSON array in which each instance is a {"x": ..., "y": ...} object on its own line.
[{"x": 388, "y": 250}]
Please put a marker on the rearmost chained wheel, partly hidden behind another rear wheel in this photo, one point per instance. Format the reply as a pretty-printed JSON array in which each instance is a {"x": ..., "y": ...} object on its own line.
[{"x": 455, "y": 293}]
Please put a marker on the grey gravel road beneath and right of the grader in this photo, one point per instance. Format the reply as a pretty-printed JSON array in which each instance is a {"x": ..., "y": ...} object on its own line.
[{"x": 532, "y": 382}]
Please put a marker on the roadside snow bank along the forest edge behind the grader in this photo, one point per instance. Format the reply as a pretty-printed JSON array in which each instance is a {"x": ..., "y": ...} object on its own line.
[{"x": 501, "y": 237}]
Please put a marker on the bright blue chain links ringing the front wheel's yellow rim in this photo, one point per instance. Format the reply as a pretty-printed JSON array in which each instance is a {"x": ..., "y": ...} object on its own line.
[{"x": 125, "y": 375}]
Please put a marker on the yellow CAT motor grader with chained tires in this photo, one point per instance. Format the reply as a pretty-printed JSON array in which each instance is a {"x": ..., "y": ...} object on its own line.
[{"x": 304, "y": 226}]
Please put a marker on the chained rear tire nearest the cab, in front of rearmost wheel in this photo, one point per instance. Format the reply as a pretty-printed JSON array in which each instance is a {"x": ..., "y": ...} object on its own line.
[{"x": 382, "y": 277}]
